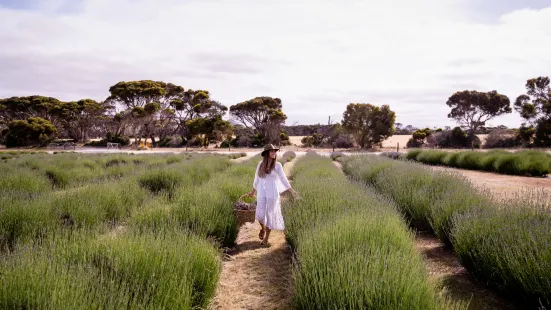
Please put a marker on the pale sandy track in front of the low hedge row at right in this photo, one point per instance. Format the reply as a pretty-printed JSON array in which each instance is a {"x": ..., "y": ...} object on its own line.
[{"x": 506, "y": 186}]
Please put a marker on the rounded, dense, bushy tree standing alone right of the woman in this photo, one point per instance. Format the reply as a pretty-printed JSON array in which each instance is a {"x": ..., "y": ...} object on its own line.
[{"x": 369, "y": 124}]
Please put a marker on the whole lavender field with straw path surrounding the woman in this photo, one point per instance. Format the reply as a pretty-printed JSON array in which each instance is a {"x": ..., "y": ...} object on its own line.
[{"x": 85, "y": 231}]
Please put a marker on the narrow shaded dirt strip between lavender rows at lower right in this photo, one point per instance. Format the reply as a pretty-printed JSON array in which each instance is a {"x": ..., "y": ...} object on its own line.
[{"x": 454, "y": 282}]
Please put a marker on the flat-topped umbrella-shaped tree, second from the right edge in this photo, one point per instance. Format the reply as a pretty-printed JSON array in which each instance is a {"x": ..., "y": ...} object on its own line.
[{"x": 472, "y": 109}]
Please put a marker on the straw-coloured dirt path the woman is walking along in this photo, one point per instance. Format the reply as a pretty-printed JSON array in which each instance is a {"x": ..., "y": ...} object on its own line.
[{"x": 256, "y": 277}]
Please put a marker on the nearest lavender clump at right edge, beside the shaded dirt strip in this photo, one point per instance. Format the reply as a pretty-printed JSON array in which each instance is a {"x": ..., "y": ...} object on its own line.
[{"x": 508, "y": 248}]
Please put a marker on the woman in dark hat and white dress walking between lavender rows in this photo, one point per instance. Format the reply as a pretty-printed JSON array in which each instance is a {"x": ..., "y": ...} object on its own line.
[{"x": 269, "y": 182}]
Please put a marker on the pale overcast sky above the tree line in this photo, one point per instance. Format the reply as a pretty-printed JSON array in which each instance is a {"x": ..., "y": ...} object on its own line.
[{"x": 317, "y": 56}]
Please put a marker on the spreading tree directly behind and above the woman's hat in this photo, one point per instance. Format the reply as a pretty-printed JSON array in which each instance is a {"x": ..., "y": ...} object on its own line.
[{"x": 262, "y": 114}]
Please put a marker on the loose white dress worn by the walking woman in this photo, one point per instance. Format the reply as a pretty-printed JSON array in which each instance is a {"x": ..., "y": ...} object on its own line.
[{"x": 268, "y": 204}]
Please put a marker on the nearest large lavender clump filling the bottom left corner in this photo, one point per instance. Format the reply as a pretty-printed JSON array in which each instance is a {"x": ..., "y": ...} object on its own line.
[{"x": 168, "y": 269}]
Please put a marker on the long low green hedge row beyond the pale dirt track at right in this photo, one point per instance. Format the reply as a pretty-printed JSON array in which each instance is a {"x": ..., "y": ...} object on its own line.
[{"x": 525, "y": 163}]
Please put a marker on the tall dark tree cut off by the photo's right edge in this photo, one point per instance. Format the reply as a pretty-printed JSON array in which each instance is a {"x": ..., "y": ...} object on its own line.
[{"x": 535, "y": 108}]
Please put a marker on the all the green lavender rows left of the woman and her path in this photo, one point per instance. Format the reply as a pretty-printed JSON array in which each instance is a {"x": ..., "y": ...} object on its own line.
[{"x": 110, "y": 243}]
